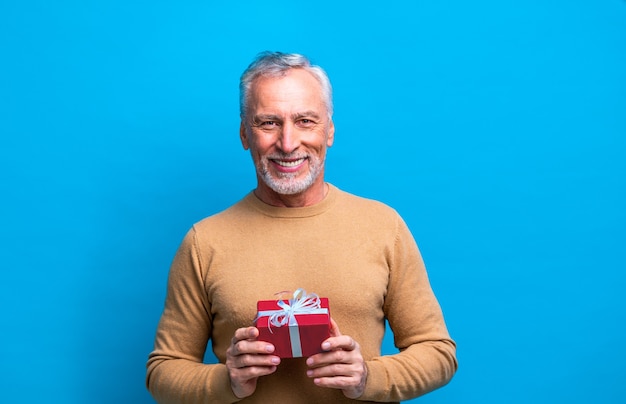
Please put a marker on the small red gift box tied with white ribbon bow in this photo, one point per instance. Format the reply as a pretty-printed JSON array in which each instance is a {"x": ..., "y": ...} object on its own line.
[{"x": 296, "y": 327}]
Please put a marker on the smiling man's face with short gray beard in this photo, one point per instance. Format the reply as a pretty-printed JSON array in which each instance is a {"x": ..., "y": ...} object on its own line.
[{"x": 287, "y": 130}]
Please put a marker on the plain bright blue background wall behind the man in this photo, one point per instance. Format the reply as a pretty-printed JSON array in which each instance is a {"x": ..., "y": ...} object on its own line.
[{"x": 496, "y": 128}]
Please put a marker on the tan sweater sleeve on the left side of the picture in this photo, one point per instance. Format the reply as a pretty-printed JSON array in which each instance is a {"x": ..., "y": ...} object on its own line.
[{"x": 175, "y": 372}]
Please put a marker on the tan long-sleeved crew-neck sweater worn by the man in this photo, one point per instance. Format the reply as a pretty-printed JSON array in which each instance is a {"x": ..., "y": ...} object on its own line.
[{"x": 357, "y": 252}]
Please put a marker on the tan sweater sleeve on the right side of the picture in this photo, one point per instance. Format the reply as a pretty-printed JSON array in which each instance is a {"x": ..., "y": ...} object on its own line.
[{"x": 427, "y": 357}]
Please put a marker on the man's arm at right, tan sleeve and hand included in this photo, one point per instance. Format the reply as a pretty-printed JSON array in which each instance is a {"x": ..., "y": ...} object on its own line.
[{"x": 427, "y": 358}]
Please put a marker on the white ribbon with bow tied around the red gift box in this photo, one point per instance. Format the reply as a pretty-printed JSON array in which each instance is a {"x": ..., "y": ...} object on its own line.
[{"x": 301, "y": 303}]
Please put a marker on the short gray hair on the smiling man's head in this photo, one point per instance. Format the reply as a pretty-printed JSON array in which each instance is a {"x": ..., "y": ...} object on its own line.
[{"x": 276, "y": 64}]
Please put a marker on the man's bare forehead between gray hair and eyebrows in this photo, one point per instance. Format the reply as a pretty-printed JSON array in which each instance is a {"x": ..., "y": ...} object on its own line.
[{"x": 295, "y": 90}]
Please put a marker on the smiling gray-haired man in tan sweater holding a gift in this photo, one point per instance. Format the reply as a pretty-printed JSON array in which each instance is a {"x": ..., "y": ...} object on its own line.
[{"x": 297, "y": 231}]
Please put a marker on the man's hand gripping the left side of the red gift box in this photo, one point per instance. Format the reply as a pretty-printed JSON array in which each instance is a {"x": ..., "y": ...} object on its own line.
[{"x": 247, "y": 359}]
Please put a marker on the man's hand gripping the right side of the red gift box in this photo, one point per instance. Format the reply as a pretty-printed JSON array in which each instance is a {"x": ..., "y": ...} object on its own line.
[{"x": 341, "y": 366}]
